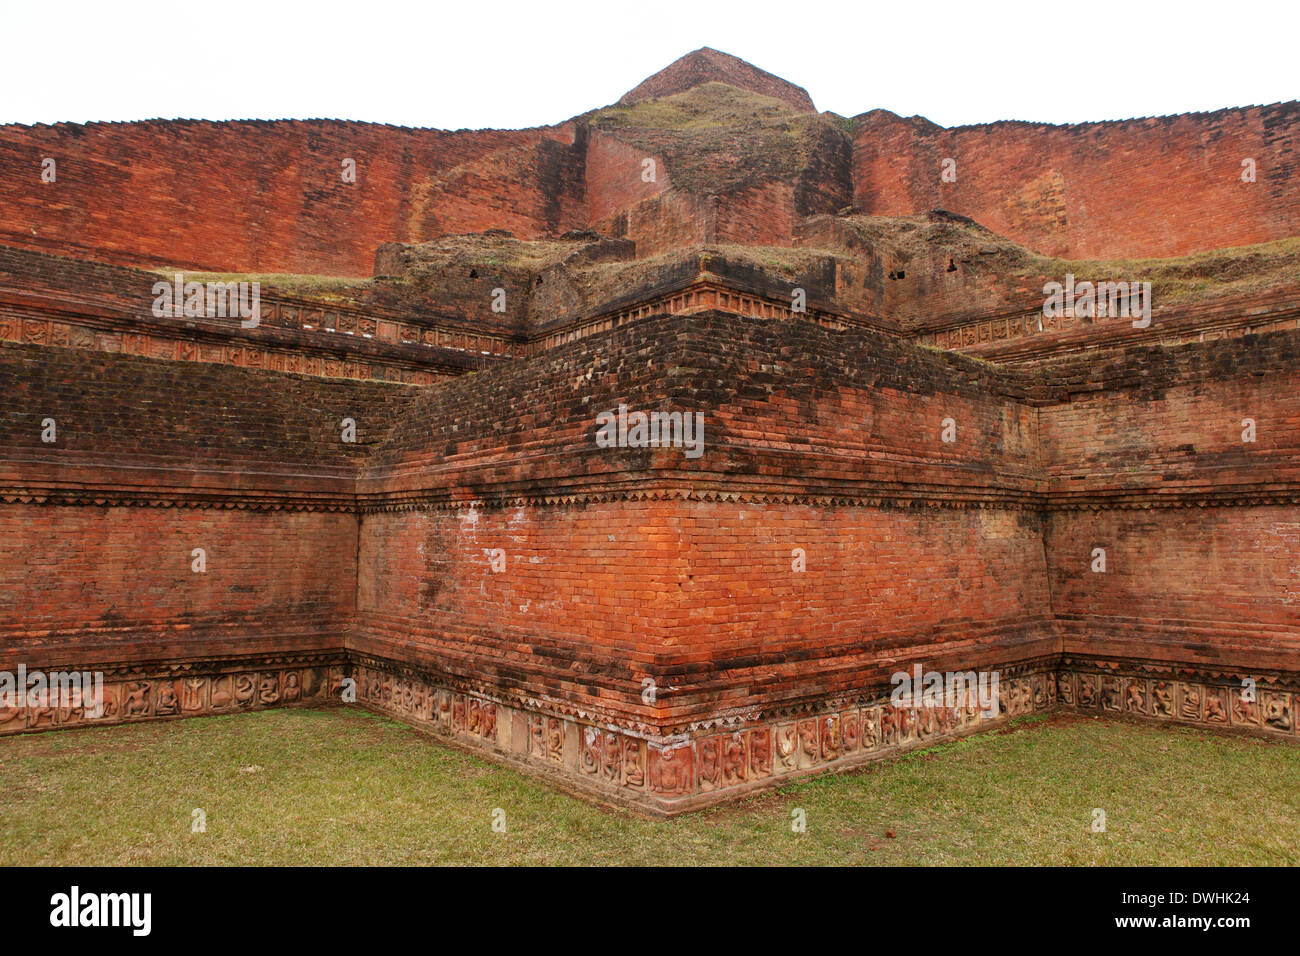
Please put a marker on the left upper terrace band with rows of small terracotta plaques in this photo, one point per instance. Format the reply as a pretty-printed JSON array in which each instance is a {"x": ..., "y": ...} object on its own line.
[{"x": 367, "y": 330}]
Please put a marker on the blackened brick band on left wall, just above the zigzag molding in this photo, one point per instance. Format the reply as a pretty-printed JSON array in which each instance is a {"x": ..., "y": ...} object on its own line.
[{"x": 124, "y": 410}]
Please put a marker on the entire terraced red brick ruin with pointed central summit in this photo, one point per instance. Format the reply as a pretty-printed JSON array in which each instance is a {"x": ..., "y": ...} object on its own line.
[{"x": 883, "y": 403}]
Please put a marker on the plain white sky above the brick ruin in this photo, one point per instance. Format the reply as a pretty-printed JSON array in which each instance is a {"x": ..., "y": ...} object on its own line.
[{"x": 509, "y": 66}]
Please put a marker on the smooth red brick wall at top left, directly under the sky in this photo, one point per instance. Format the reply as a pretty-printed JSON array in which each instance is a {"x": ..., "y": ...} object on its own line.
[{"x": 250, "y": 197}]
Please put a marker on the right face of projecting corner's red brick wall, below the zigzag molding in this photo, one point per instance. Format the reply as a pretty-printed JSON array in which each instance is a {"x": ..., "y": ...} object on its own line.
[{"x": 883, "y": 589}]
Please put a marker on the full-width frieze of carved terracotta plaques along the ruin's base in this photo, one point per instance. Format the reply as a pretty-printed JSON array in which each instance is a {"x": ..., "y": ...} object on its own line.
[{"x": 640, "y": 765}]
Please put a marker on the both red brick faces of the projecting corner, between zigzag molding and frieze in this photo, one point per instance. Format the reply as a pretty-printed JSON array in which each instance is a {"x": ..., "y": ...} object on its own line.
[{"x": 700, "y": 596}]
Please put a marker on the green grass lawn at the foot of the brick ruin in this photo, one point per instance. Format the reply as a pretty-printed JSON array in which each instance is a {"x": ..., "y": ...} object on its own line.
[{"x": 343, "y": 786}]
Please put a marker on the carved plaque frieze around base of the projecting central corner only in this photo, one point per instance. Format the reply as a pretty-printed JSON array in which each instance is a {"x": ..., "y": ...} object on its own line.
[{"x": 666, "y": 775}]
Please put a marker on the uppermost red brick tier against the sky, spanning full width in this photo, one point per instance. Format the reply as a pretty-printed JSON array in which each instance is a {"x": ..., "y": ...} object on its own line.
[{"x": 268, "y": 197}]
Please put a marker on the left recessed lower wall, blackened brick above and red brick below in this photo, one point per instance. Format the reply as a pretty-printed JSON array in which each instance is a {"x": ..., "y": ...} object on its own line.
[{"x": 154, "y": 460}]
